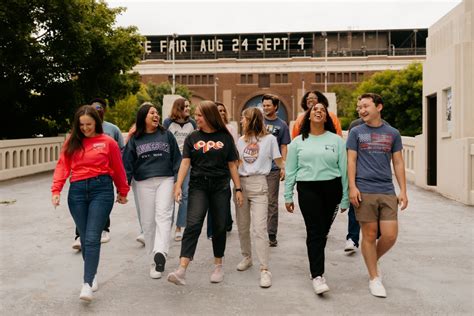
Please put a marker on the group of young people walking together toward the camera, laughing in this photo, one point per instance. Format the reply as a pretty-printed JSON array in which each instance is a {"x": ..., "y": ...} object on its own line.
[{"x": 193, "y": 162}]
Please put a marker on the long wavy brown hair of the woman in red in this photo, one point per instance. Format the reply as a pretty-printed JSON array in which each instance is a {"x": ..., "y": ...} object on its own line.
[{"x": 74, "y": 142}]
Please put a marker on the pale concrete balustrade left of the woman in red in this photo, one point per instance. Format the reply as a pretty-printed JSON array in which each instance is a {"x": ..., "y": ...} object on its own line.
[{"x": 21, "y": 157}]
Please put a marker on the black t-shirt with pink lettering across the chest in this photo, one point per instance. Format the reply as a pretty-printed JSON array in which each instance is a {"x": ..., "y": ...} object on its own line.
[{"x": 210, "y": 153}]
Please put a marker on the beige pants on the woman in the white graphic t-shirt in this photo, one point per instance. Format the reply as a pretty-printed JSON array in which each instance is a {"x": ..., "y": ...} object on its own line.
[{"x": 254, "y": 212}]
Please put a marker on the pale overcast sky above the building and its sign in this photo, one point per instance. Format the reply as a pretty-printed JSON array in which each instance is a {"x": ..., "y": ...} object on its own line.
[{"x": 160, "y": 17}]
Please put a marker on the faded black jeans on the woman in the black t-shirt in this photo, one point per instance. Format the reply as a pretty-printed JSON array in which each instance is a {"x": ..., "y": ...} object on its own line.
[{"x": 206, "y": 193}]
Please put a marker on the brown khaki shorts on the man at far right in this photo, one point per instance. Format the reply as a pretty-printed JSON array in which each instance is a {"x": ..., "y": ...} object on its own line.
[{"x": 375, "y": 207}]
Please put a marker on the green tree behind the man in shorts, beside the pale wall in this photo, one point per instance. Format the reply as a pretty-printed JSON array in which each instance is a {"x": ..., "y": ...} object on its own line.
[{"x": 402, "y": 93}]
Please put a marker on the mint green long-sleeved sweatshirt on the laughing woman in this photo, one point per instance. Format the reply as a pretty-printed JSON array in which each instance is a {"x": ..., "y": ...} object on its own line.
[{"x": 317, "y": 158}]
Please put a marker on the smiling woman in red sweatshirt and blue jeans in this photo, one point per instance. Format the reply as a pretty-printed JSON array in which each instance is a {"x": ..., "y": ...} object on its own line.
[{"x": 93, "y": 162}]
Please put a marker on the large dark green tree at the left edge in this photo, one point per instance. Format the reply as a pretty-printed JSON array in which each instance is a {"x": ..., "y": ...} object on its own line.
[{"x": 56, "y": 55}]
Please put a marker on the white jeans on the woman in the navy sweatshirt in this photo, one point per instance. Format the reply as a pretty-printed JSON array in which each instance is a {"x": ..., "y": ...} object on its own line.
[{"x": 156, "y": 213}]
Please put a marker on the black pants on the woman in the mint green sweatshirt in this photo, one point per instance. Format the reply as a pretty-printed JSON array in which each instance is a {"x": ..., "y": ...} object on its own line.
[{"x": 319, "y": 202}]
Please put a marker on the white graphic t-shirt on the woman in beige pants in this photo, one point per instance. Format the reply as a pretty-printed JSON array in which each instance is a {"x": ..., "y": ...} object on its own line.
[{"x": 256, "y": 156}]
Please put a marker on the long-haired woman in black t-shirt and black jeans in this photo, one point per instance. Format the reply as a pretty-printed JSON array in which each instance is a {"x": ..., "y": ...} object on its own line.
[{"x": 212, "y": 154}]
